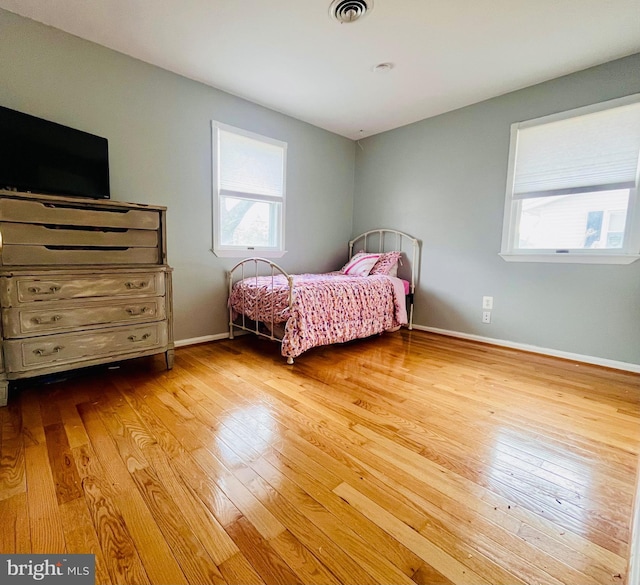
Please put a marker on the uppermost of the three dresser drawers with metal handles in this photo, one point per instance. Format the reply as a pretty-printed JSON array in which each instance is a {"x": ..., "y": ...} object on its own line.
[{"x": 27, "y": 289}]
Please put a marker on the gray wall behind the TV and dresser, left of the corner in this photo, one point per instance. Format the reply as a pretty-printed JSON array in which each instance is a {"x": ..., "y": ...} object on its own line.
[{"x": 158, "y": 127}]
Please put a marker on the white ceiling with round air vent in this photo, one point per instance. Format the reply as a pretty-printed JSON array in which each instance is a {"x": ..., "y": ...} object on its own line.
[{"x": 289, "y": 55}]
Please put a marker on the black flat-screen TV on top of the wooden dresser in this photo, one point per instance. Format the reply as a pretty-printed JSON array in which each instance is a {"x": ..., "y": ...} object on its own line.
[{"x": 40, "y": 156}]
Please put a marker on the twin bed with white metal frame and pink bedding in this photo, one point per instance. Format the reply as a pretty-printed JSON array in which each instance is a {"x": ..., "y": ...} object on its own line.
[{"x": 370, "y": 294}]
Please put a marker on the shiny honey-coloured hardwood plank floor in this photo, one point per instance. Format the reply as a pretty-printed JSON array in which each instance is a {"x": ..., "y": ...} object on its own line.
[{"x": 406, "y": 458}]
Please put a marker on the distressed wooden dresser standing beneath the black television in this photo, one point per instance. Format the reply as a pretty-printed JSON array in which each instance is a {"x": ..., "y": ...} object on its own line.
[{"x": 82, "y": 282}]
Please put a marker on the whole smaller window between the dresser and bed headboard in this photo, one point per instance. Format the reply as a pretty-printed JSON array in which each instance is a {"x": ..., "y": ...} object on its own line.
[{"x": 249, "y": 193}]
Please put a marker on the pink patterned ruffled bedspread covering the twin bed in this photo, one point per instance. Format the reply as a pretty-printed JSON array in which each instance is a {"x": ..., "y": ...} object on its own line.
[{"x": 327, "y": 308}]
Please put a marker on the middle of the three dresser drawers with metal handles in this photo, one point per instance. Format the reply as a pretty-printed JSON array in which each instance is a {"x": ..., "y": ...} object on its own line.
[{"x": 63, "y": 316}]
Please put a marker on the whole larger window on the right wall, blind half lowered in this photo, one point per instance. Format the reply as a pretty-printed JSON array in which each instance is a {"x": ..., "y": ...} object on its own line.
[{"x": 572, "y": 186}]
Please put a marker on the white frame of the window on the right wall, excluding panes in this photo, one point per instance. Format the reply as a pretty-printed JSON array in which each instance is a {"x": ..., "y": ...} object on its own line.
[{"x": 512, "y": 210}]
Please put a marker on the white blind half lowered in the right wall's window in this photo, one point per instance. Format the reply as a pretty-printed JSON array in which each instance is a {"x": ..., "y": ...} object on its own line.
[{"x": 597, "y": 151}]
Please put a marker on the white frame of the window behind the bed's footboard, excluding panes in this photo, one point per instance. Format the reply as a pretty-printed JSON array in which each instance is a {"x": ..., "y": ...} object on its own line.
[{"x": 227, "y": 251}]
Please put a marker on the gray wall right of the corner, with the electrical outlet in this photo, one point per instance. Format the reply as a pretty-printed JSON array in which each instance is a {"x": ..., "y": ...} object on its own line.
[{"x": 443, "y": 180}]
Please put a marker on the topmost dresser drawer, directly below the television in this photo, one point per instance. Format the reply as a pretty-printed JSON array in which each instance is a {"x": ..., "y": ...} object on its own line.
[{"x": 66, "y": 214}]
